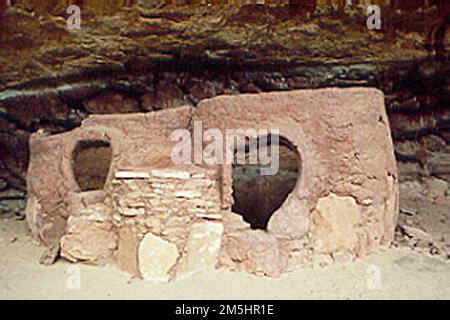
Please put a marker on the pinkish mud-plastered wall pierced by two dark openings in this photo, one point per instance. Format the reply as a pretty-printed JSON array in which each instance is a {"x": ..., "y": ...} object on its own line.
[{"x": 345, "y": 202}]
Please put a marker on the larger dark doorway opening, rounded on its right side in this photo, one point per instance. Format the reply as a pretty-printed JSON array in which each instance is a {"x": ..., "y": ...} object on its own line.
[{"x": 257, "y": 196}]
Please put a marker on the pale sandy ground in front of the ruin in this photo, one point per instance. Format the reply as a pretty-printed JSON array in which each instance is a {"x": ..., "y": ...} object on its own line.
[{"x": 395, "y": 273}]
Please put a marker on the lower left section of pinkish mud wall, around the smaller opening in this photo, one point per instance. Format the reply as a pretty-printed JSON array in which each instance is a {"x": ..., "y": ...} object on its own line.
[{"x": 137, "y": 140}]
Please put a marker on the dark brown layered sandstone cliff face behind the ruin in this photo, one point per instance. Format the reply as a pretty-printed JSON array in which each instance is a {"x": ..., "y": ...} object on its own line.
[{"x": 150, "y": 59}]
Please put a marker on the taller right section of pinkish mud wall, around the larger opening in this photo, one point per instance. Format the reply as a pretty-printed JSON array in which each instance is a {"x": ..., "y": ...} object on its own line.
[{"x": 343, "y": 138}]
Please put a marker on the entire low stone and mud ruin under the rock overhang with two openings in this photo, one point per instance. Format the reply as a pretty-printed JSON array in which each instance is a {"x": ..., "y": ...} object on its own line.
[{"x": 162, "y": 221}]
